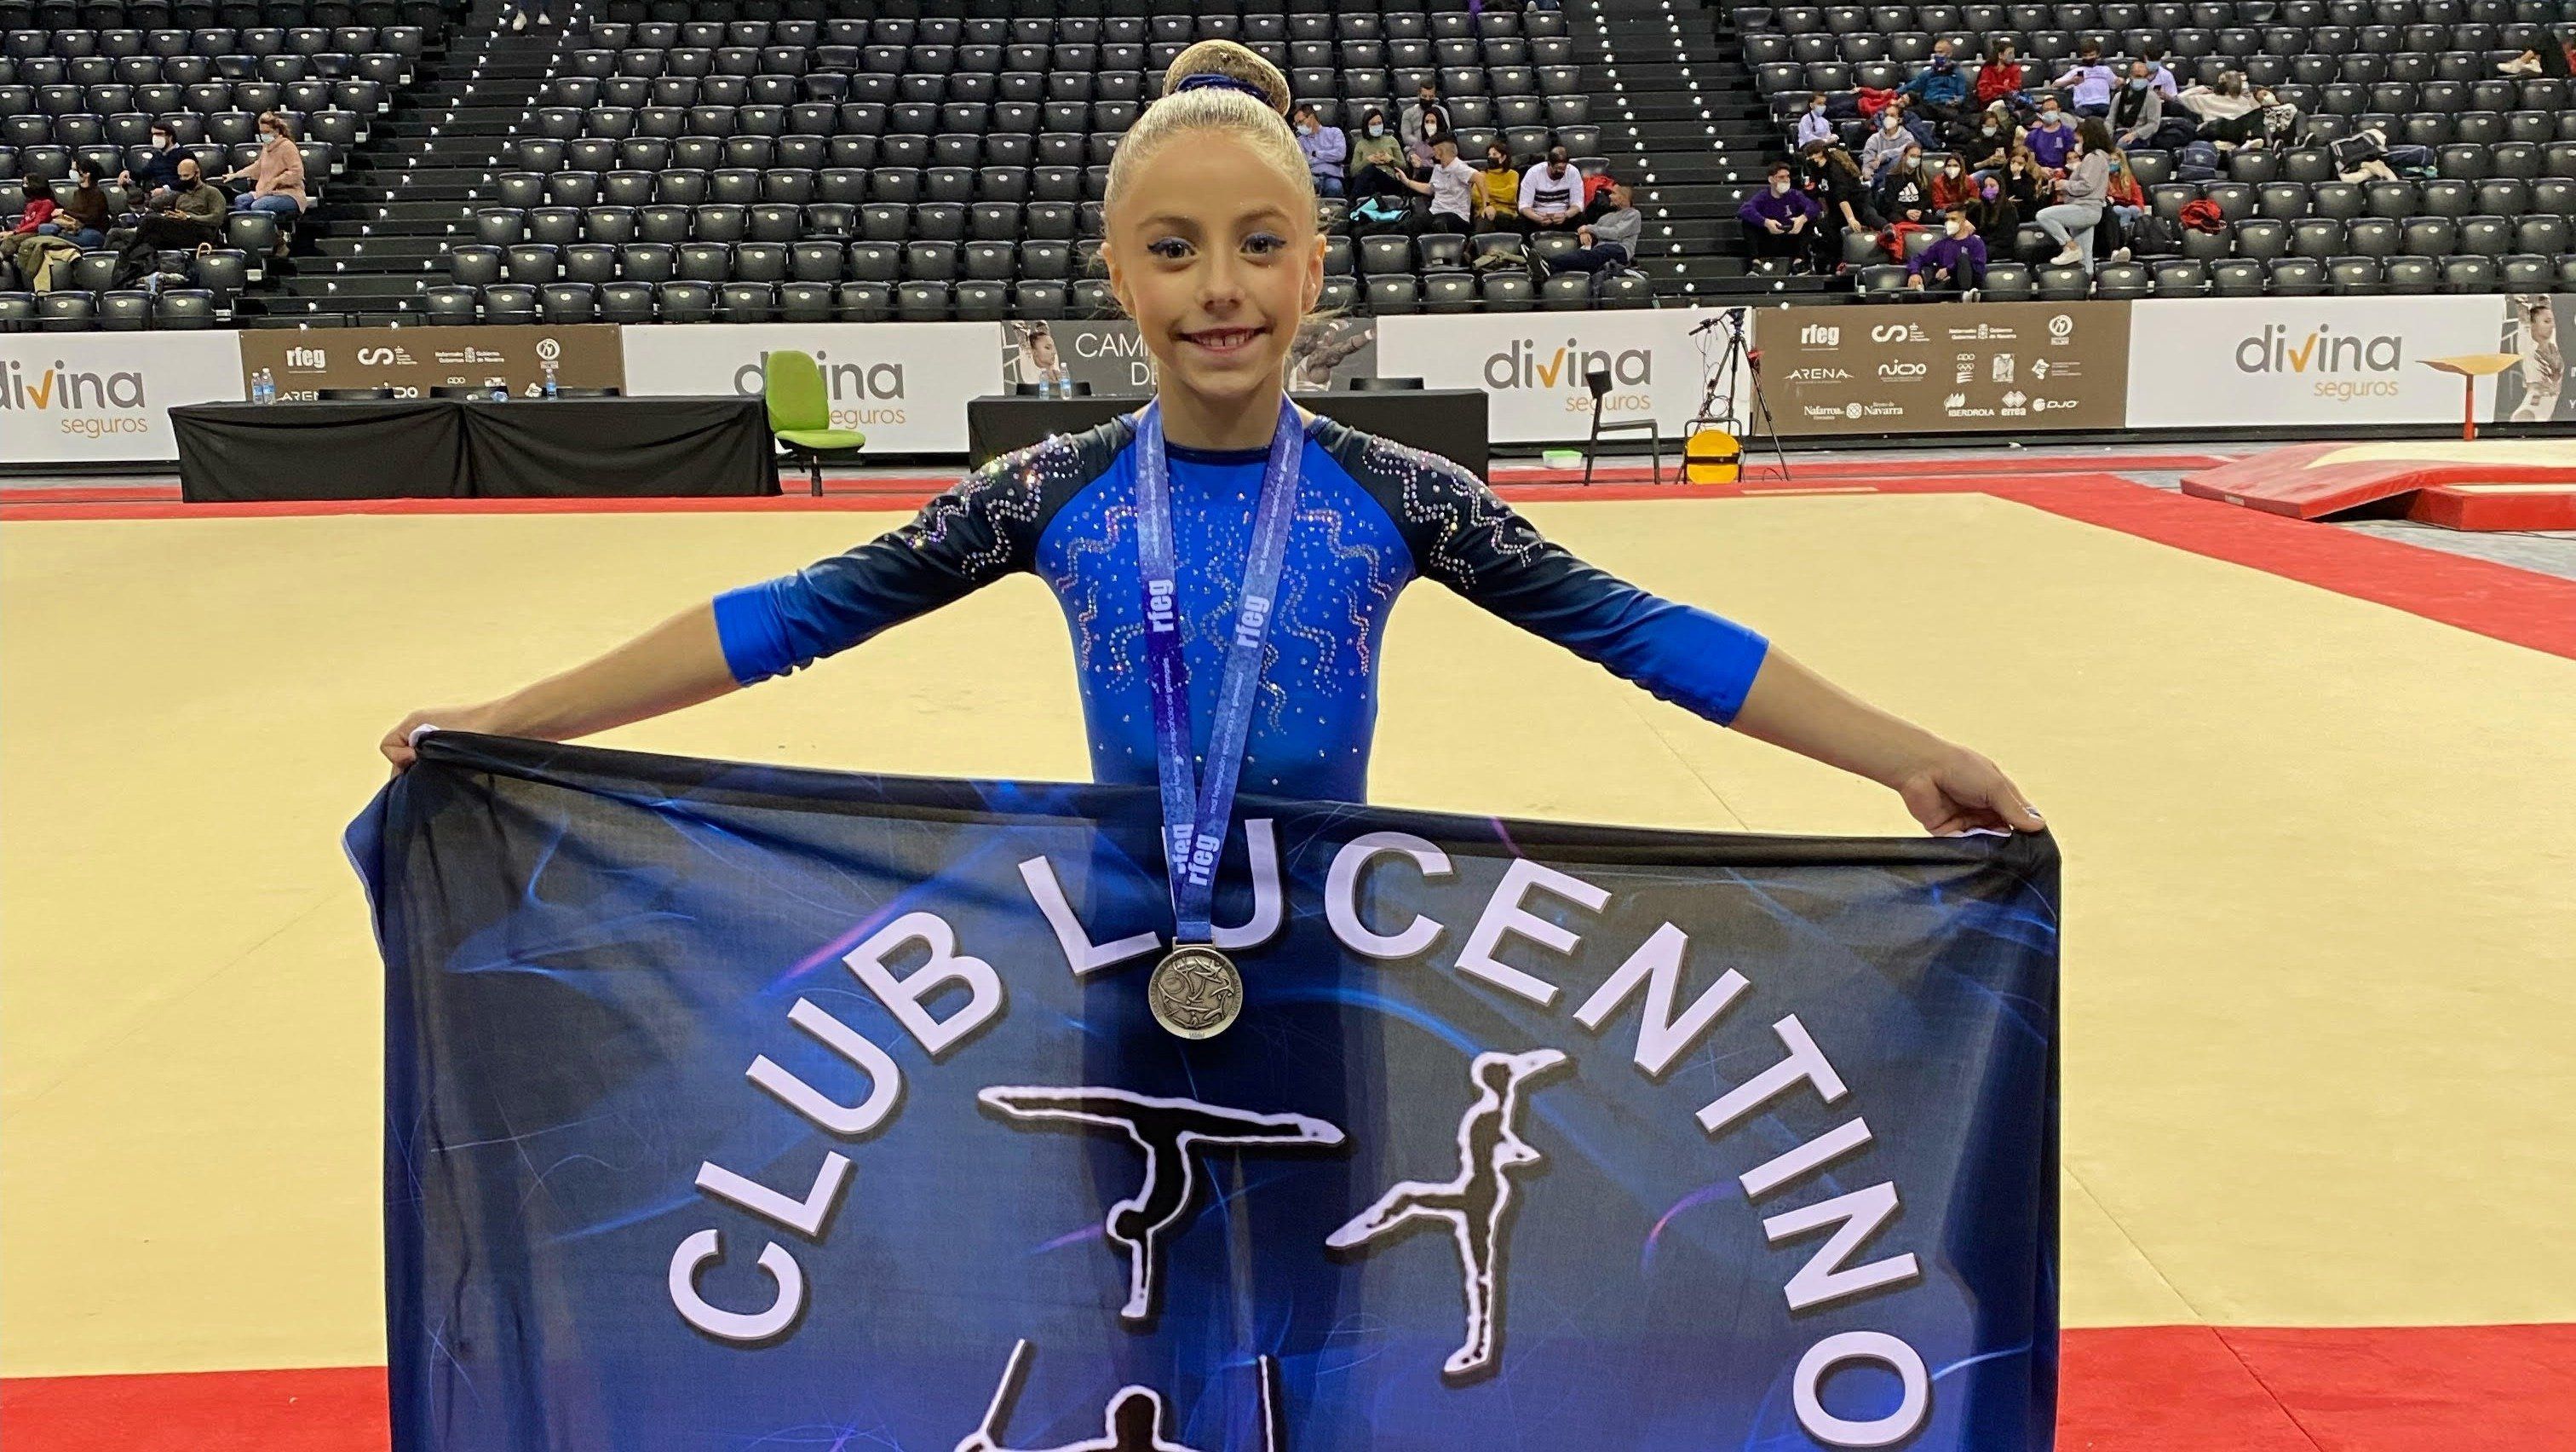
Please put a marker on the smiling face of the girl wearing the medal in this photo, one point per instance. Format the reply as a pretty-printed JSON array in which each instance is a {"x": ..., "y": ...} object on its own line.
[{"x": 1217, "y": 259}]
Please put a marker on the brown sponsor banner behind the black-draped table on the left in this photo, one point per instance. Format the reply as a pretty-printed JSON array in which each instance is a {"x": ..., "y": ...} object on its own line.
[{"x": 421, "y": 360}]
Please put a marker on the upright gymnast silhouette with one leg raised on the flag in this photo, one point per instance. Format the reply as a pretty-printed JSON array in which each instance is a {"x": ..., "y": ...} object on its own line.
[{"x": 1475, "y": 1203}]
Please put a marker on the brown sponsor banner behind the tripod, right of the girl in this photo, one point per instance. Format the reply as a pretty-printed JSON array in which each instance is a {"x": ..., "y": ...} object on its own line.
[{"x": 1959, "y": 368}]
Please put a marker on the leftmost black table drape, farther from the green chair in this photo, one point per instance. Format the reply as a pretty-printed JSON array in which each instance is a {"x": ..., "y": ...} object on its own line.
[{"x": 408, "y": 447}]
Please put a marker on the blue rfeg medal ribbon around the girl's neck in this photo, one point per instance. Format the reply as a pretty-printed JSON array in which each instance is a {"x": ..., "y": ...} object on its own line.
[{"x": 1197, "y": 814}]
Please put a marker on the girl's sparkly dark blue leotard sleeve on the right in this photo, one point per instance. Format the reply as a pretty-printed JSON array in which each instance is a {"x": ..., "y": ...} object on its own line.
[{"x": 1477, "y": 545}]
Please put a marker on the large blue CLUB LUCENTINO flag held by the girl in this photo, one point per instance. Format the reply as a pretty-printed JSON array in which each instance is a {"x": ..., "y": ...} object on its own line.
[{"x": 751, "y": 1110}]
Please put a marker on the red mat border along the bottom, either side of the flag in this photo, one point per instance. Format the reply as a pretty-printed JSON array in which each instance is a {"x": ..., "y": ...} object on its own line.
[{"x": 2134, "y": 1389}]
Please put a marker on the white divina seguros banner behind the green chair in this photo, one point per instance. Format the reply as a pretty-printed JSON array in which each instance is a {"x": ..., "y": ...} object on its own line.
[{"x": 905, "y": 386}]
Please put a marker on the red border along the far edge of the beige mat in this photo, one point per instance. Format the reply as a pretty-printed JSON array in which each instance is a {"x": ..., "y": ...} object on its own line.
[{"x": 2503, "y": 602}]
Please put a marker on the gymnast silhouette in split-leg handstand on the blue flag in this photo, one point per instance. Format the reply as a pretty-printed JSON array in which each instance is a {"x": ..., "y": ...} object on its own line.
[{"x": 1171, "y": 1133}]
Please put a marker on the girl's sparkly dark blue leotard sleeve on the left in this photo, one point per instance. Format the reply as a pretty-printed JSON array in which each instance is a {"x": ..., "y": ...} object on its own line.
[{"x": 962, "y": 543}]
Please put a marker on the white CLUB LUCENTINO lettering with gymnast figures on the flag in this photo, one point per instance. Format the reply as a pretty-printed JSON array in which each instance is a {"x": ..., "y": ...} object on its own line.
[{"x": 947, "y": 999}]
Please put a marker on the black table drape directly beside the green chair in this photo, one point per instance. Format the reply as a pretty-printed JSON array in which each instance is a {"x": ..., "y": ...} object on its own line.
[{"x": 645, "y": 447}]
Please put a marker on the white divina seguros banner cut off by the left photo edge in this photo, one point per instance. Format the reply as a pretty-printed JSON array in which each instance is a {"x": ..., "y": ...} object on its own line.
[{"x": 86, "y": 398}]
